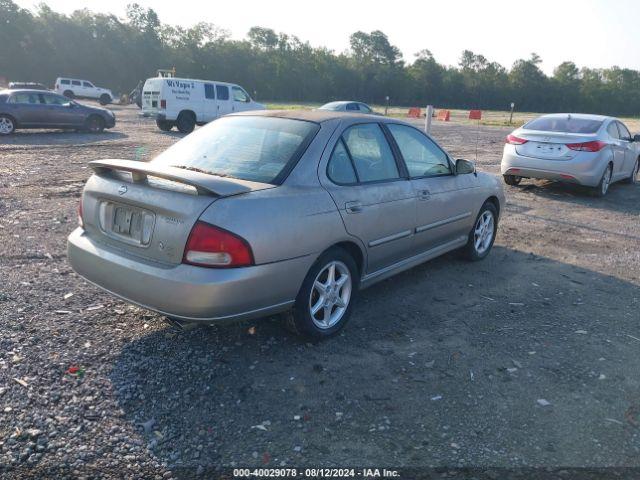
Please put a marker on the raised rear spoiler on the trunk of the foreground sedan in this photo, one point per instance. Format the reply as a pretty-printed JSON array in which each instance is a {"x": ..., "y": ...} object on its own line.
[{"x": 204, "y": 183}]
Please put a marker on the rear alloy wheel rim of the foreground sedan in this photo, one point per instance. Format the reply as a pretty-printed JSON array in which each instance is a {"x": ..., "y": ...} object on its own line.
[{"x": 330, "y": 295}]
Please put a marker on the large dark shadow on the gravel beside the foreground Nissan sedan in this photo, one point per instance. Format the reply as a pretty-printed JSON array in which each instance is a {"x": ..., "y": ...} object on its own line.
[{"x": 500, "y": 362}]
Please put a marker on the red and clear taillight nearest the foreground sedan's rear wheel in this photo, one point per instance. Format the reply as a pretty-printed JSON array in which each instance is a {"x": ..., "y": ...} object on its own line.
[{"x": 214, "y": 247}]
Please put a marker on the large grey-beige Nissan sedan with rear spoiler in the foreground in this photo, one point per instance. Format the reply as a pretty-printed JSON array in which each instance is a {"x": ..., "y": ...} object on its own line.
[{"x": 279, "y": 212}]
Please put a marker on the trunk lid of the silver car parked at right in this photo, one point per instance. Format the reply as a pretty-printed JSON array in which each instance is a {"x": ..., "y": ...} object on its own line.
[{"x": 550, "y": 145}]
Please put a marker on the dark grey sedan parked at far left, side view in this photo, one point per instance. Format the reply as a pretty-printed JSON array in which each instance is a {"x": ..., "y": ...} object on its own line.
[{"x": 39, "y": 109}]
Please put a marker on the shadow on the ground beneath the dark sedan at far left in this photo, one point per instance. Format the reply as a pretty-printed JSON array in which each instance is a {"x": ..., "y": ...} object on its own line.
[{"x": 58, "y": 137}]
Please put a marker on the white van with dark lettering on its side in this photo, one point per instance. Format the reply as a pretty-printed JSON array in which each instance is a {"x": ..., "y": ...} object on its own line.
[{"x": 185, "y": 102}]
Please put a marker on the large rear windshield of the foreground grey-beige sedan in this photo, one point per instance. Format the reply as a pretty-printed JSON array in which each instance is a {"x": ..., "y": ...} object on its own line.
[{"x": 248, "y": 148}]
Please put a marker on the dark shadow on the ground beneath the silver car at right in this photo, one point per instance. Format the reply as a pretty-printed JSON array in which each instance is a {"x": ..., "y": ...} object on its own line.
[{"x": 621, "y": 197}]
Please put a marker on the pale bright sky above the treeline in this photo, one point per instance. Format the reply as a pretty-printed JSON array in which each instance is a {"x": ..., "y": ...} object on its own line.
[{"x": 593, "y": 33}]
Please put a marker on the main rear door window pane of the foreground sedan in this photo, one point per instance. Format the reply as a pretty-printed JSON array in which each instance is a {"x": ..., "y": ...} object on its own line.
[{"x": 370, "y": 153}]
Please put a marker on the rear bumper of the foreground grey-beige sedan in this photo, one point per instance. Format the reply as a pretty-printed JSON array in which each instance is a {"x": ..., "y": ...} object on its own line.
[{"x": 188, "y": 292}]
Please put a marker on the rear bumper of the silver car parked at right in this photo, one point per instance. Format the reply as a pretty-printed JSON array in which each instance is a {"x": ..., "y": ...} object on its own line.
[{"x": 582, "y": 169}]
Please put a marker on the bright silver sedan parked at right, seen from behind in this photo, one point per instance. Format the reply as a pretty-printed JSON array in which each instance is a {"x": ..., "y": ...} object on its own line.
[{"x": 590, "y": 150}]
